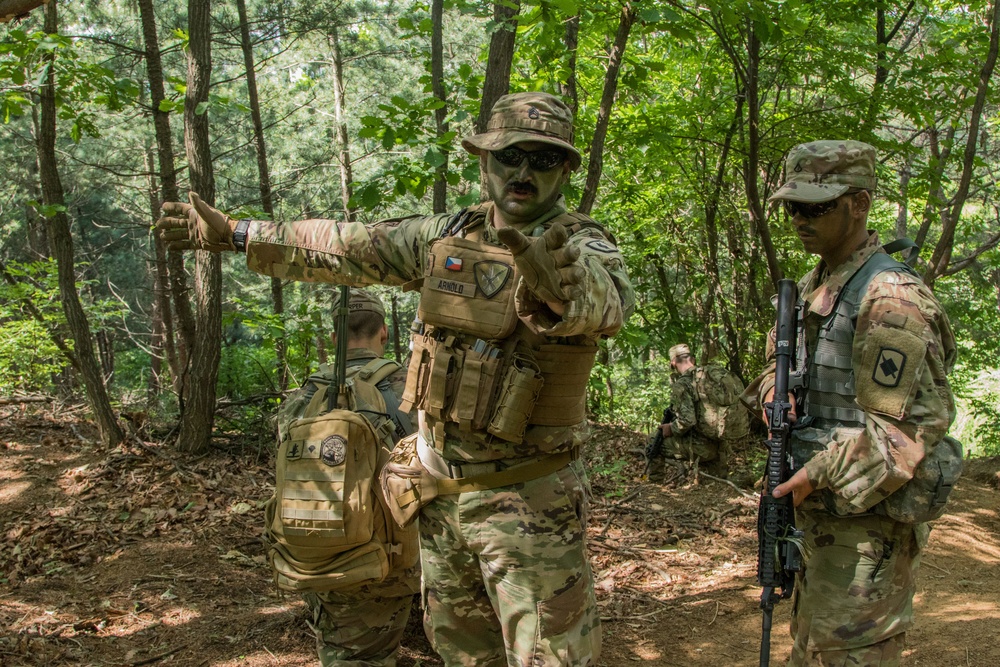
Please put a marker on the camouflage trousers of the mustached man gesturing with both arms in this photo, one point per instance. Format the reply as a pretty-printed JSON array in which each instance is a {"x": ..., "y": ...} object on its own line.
[{"x": 506, "y": 576}]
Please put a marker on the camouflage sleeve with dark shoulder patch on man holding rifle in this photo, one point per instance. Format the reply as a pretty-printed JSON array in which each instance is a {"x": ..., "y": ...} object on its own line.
[{"x": 903, "y": 349}]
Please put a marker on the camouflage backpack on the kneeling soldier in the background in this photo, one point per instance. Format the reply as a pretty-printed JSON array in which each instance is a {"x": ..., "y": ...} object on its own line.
[{"x": 721, "y": 415}]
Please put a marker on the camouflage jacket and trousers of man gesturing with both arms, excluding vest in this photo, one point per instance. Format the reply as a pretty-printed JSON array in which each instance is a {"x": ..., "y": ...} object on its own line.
[{"x": 492, "y": 597}]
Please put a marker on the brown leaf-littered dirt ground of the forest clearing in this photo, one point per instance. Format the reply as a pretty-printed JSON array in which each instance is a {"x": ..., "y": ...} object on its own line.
[{"x": 143, "y": 556}]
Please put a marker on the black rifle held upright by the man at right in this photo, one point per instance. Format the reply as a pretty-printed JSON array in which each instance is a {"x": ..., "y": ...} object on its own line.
[{"x": 778, "y": 557}]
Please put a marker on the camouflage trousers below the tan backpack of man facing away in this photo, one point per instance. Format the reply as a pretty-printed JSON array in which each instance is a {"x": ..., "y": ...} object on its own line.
[{"x": 362, "y": 628}]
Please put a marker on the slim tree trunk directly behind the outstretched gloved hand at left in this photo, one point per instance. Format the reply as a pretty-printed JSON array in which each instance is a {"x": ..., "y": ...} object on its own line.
[{"x": 169, "y": 265}]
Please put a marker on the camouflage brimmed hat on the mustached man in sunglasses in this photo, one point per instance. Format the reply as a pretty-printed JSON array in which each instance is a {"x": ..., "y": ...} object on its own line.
[{"x": 527, "y": 117}]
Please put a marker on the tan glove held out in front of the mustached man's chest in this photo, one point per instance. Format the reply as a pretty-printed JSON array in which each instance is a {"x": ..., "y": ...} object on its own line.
[{"x": 547, "y": 266}]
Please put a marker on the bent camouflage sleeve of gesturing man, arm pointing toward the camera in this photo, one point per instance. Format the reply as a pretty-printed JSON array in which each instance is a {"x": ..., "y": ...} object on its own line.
[{"x": 607, "y": 300}]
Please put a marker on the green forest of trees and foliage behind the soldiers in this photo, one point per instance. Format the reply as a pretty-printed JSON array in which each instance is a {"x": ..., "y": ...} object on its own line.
[{"x": 355, "y": 111}]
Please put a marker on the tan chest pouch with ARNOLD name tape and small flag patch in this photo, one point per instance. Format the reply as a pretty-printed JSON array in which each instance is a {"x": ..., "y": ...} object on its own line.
[{"x": 469, "y": 286}]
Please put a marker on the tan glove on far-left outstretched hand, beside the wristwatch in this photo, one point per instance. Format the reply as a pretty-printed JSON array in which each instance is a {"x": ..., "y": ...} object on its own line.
[{"x": 195, "y": 226}]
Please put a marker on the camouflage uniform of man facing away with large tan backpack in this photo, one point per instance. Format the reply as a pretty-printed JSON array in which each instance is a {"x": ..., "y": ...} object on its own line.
[{"x": 360, "y": 627}]
